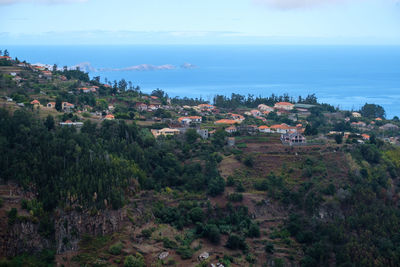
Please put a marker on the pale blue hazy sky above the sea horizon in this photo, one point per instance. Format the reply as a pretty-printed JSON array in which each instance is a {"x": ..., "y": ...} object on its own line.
[{"x": 291, "y": 22}]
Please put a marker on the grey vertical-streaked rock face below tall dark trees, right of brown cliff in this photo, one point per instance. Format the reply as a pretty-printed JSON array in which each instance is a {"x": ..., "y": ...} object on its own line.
[{"x": 71, "y": 226}]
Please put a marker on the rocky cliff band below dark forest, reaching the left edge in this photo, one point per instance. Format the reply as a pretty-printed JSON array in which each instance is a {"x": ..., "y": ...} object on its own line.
[{"x": 24, "y": 236}]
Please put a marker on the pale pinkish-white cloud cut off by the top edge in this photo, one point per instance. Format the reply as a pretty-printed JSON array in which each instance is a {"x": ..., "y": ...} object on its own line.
[{"x": 297, "y": 4}]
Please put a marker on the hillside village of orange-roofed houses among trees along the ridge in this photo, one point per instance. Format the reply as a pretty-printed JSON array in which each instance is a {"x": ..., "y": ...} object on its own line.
[{"x": 84, "y": 99}]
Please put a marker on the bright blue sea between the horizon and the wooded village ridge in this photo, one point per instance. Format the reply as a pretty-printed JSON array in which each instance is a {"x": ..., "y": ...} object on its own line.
[{"x": 344, "y": 76}]
